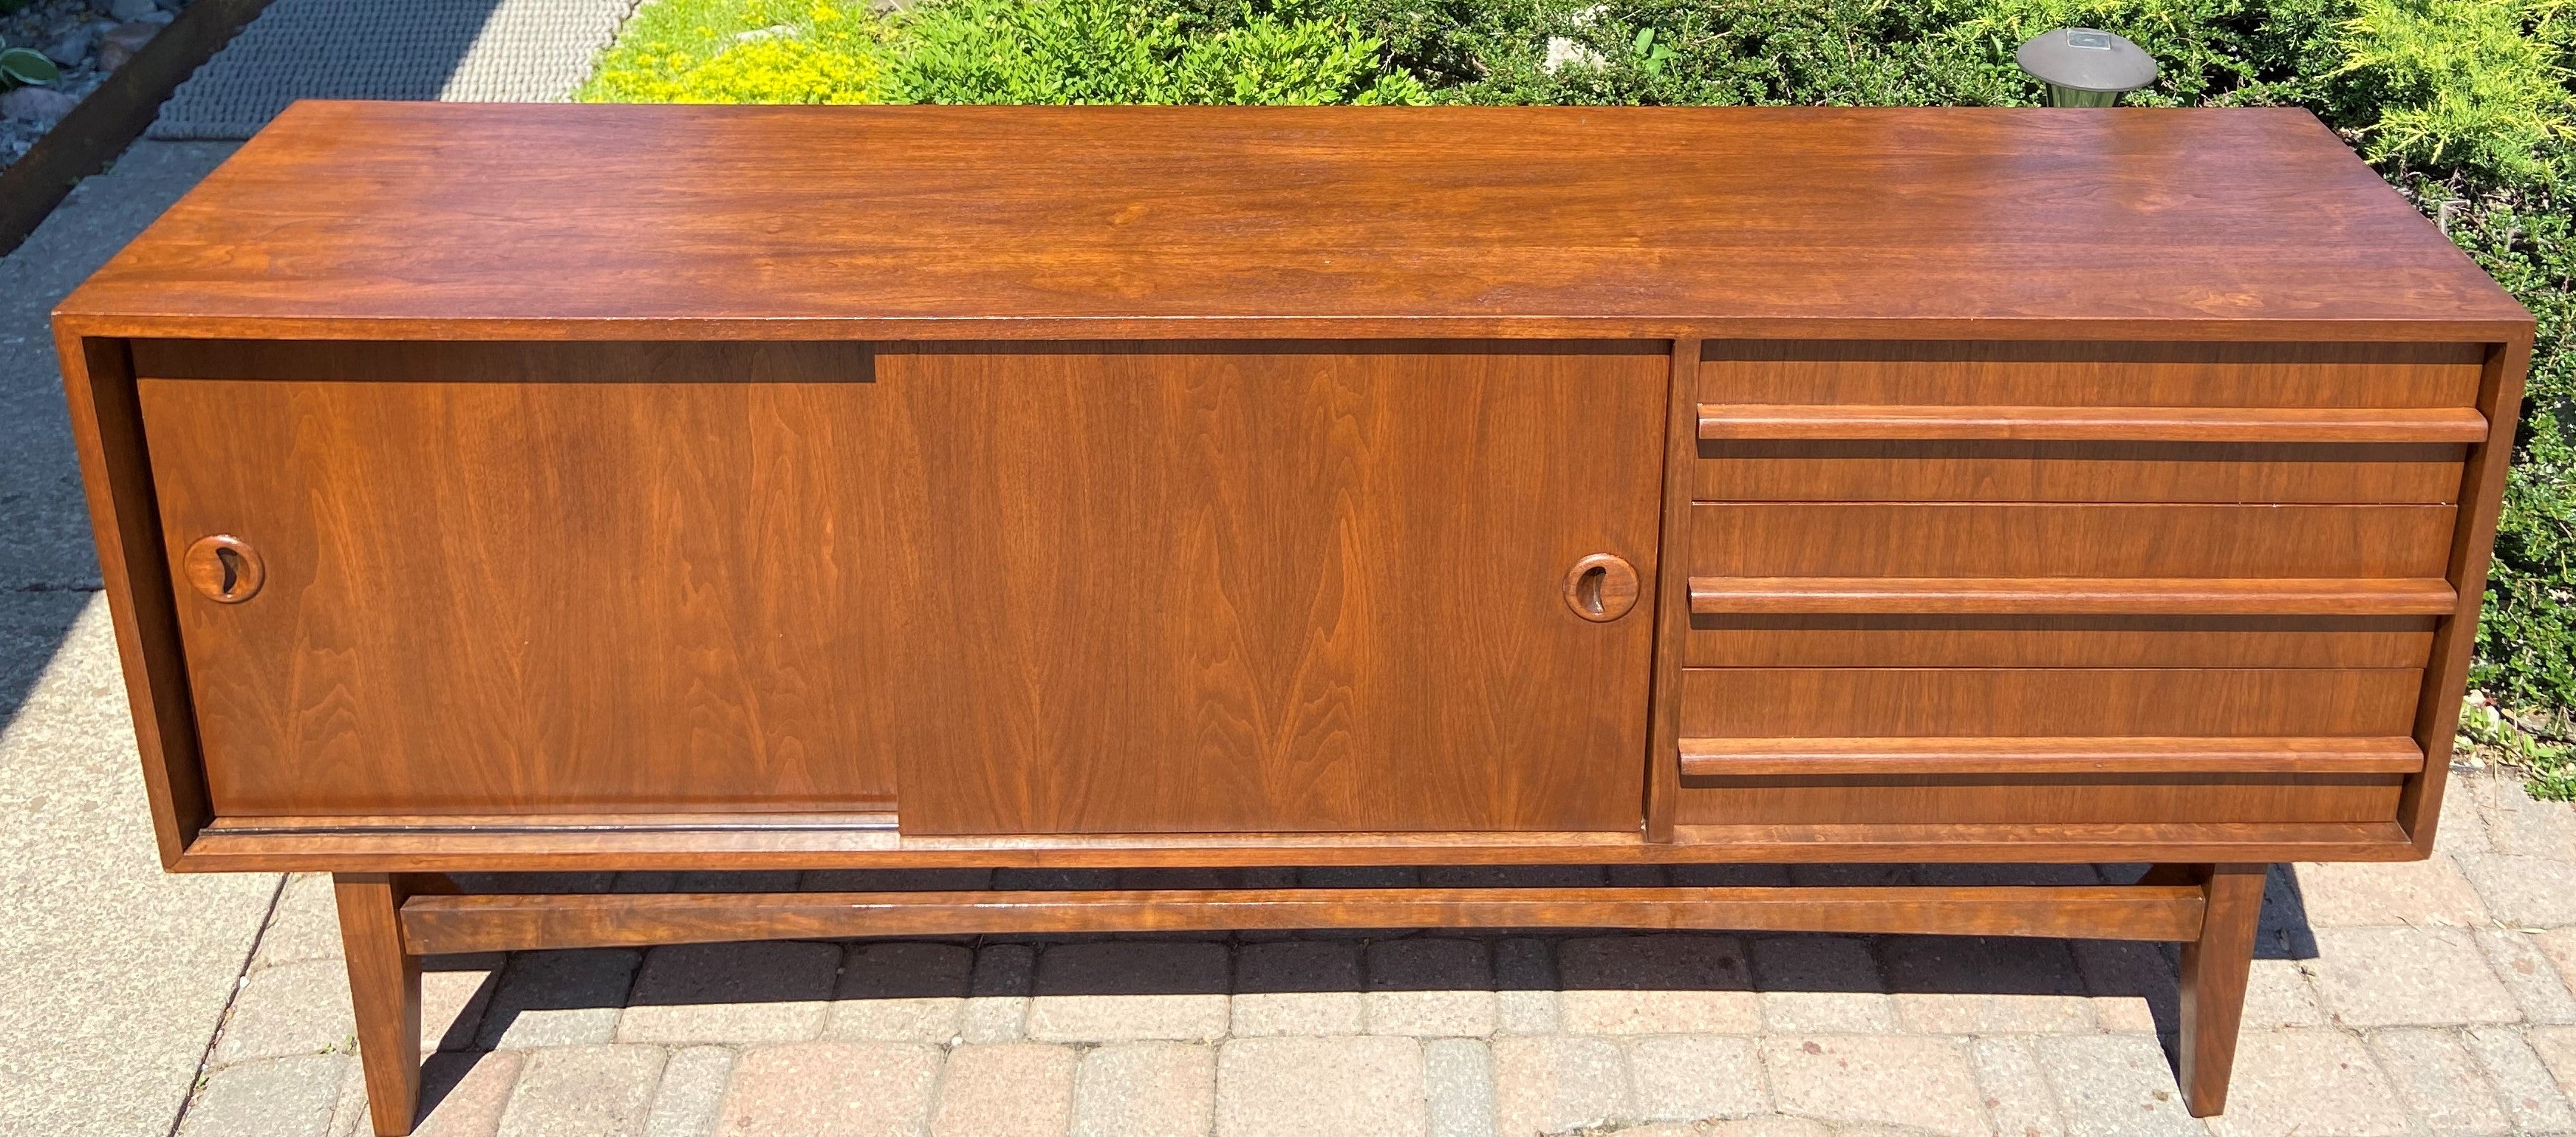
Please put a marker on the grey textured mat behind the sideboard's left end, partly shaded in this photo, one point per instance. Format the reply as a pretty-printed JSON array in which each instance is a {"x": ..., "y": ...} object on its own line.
[{"x": 447, "y": 50}]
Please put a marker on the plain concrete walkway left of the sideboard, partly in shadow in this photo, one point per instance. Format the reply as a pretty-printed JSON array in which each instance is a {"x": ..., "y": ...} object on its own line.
[{"x": 112, "y": 973}]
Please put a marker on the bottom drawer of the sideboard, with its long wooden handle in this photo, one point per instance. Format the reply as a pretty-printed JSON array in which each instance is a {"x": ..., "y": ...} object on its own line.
[{"x": 2044, "y": 746}]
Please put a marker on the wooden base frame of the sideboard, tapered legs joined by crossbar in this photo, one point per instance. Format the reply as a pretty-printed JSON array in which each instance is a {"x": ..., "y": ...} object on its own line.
[{"x": 395, "y": 919}]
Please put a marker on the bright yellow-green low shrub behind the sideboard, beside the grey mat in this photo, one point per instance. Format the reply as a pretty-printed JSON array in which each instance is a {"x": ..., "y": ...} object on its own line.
[{"x": 746, "y": 53}]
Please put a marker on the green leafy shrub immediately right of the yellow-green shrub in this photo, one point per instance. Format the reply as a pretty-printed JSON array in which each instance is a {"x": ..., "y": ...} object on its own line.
[{"x": 1137, "y": 53}]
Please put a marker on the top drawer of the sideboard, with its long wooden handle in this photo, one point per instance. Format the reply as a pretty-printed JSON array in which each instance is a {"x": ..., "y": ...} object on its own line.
[{"x": 2085, "y": 422}]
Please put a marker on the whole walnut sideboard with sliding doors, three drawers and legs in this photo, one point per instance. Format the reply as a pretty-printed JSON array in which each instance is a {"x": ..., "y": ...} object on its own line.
[{"x": 524, "y": 489}]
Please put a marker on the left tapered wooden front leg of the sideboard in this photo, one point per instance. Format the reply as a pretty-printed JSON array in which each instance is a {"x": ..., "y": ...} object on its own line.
[{"x": 385, "y": 986}]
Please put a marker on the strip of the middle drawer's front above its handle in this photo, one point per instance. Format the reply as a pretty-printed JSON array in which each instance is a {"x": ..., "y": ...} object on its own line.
[{"x": 2031, "y": 540}]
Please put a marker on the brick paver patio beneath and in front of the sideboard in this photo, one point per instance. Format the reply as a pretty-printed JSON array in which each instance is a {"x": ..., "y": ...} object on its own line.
[{"x": 2402, "y": 999}]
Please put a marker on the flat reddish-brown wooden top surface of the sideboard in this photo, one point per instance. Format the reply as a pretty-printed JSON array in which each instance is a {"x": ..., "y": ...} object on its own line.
[{"x": 450, "y": 220}]
